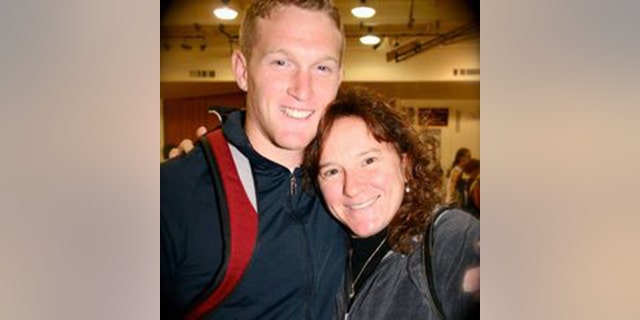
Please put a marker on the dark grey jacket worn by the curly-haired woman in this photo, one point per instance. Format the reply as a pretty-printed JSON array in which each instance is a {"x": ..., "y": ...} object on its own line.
[{"x": 398, "y": 288}]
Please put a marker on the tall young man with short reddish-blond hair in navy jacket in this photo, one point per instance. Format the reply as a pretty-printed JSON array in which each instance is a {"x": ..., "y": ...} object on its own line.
[{"x": 289, "y": 64}]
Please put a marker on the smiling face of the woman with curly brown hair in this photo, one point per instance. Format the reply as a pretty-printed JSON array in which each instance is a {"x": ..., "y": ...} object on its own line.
[{"x": 361, "y": 179}]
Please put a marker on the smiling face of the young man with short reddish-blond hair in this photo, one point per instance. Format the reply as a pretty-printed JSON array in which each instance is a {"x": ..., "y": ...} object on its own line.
[{"x": 293, "y": 74}]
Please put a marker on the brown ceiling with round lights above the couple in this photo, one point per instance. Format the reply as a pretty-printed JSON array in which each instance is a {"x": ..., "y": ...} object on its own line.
[{"x": 192, "y": 21}]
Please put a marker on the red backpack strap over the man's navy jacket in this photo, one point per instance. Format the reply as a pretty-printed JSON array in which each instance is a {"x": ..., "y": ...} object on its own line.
[{"x": 239, "y": 222}]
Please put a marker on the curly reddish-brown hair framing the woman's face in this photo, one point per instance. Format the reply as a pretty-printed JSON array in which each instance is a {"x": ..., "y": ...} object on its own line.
[{"x": 386, "y": 124}]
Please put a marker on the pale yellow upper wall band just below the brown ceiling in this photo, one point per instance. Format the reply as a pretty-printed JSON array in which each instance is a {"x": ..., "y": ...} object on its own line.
[{"x": 362, "y": 63}]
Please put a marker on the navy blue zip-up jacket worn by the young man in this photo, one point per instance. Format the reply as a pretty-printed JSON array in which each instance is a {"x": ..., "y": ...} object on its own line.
[{"x": 300, "y": 254}]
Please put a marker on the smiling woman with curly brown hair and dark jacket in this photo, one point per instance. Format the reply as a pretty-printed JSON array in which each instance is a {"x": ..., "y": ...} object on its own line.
[{"x": 376, "y": 180}]
